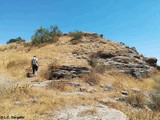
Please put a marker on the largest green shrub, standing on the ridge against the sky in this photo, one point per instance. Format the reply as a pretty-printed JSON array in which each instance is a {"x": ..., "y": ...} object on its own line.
[{"x": 43, "y": 35}]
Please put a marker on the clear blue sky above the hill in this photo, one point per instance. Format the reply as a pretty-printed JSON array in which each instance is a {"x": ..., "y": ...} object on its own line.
[{"x": 134, "y": 22}]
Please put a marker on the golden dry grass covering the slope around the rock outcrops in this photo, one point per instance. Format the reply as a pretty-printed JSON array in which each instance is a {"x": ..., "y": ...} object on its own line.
[{"x": 33, "y": 102}]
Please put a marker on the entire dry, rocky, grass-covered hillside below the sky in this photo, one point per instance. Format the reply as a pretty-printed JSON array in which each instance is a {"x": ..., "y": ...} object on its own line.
[{"x": 89, "y": 76}]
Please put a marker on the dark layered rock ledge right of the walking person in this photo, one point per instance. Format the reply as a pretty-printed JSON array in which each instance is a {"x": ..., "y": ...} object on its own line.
[{"x": 68, "y": 72}]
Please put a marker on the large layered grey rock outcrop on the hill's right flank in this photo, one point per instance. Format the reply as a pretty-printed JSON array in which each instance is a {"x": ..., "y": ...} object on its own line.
[{"x": 128, "y": 60}]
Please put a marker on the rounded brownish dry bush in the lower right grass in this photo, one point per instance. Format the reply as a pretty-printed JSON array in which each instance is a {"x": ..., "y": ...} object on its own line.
[{"x": 136, "y": 100}]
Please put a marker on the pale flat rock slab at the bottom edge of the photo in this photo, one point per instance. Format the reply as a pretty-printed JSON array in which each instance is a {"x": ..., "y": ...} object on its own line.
[{"x": 99, "y": 112}]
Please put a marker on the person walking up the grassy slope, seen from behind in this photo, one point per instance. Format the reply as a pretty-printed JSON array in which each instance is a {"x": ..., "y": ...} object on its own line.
[{"x": 34, "y": 64}]
